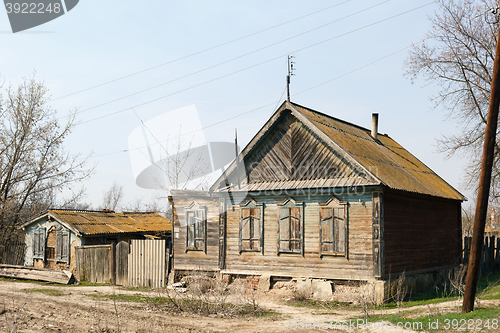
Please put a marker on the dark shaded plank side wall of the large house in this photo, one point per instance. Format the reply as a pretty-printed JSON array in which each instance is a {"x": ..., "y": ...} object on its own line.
[{"x": 420, "y": 232}]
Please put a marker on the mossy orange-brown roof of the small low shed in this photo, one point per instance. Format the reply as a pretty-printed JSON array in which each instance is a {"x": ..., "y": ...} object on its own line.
[{"x": 92, "y": 223}]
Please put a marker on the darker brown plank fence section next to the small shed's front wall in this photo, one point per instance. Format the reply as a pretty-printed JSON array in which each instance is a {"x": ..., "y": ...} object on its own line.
[{"x": 95, "y": 263}]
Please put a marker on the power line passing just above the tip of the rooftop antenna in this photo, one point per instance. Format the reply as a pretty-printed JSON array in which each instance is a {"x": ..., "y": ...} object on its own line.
[{"x": 255, "y": 65}]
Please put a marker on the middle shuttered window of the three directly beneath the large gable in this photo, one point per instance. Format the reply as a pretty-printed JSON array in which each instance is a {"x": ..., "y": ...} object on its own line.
[{"x": 290, "y": 227}]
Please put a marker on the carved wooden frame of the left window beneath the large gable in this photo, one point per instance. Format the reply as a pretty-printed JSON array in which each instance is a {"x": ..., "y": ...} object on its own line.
[{"x": 251, "y": 205}]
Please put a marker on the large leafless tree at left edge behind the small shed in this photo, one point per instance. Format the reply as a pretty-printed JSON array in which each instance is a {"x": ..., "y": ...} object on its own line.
[{"x": 33, "y": 163}]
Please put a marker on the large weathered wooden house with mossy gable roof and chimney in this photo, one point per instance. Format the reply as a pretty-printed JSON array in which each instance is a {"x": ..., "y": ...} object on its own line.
[{"x": 313, "y": 196}]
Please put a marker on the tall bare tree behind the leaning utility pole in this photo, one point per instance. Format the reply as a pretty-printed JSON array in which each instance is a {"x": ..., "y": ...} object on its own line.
[{"x": 458, "y": 58}]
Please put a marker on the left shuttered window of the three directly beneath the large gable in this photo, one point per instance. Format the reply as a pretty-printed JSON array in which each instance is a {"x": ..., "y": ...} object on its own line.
[{"x": 251, "y": 226}]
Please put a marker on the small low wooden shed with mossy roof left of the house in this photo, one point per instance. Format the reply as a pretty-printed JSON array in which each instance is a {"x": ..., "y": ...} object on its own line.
[{"x": 51, "y": 238}]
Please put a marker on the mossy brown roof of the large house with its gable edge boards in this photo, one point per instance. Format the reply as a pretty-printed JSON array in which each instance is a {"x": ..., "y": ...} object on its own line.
[{"x": 379, "y": 162}]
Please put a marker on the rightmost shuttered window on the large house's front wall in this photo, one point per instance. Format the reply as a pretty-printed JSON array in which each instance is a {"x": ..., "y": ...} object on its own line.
[{"x": 336, "y": 211}]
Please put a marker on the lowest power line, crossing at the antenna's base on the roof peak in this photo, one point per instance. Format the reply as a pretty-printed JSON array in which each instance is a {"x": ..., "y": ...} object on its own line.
[{"x": 271, "y": 103}]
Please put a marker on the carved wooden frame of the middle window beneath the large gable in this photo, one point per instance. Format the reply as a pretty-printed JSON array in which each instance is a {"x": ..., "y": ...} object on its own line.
[{"x": 285, "y": 215}]
